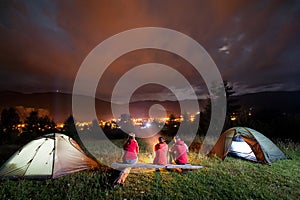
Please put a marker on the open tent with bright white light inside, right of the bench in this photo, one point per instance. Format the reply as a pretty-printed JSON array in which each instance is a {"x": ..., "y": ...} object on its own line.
[{"x": 248, "y": 144}]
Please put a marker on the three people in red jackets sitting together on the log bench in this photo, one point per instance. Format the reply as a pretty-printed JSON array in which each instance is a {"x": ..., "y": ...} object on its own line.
[{"x": 177, "y": 153}]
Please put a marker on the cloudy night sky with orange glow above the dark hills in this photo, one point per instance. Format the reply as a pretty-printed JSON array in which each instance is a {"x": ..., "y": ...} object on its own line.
[{"x": 255, "y": 44}]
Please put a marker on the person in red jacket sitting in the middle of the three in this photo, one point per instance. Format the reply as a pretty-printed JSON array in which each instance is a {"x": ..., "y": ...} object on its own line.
[{"x": 161, "y": 152}]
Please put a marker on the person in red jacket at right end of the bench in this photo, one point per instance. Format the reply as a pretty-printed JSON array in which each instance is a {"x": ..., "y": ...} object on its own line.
[{"x": 179, "y": 152}]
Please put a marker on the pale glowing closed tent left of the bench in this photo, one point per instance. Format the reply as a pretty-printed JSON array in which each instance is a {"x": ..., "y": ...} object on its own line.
[{"x": 49, "y": 156}]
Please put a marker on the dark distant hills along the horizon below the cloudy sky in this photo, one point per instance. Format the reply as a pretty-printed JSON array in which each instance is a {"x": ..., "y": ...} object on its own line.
[{"x": 59, "y": 105}]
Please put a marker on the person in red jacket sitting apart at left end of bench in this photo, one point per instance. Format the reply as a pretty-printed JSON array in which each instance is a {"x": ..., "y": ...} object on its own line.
[{"x": 131, "y": 149}]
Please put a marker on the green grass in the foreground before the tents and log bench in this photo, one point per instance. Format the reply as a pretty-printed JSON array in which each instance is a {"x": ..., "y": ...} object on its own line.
[{"x": 230, "y": 179}]
